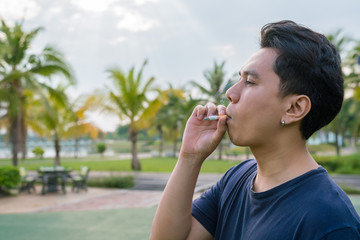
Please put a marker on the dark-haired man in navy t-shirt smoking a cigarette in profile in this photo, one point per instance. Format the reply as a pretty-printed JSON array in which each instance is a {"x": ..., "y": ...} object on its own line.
[{"x": 287, "y": 90}]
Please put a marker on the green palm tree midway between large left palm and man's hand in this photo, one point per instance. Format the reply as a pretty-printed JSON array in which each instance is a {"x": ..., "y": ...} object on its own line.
[{"x": 129, "y": 100}]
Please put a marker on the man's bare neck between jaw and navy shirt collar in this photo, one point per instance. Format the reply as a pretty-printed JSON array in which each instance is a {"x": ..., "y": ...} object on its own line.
[{"x": 290, "y": 160}]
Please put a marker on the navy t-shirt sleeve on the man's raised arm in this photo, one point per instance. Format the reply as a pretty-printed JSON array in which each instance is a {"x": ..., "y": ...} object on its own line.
[{"x": 205, "y": 208}]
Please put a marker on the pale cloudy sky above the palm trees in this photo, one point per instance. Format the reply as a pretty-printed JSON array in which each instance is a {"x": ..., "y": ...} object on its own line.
[{"x": 179, "y": 38}]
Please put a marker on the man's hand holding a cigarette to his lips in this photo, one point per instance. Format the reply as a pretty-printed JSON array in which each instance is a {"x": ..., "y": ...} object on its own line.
[{"x": 201, "y": 137}]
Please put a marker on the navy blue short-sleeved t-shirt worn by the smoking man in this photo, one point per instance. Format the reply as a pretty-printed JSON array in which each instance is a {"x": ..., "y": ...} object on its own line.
[{"x": 308, "y": 207}]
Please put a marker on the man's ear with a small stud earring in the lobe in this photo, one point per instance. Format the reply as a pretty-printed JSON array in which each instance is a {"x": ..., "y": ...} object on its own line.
[{"x": 298, "y": 106}]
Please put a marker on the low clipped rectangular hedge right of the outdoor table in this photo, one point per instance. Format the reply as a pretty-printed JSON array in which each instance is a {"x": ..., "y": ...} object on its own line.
[{"x": 112, "y": 182}]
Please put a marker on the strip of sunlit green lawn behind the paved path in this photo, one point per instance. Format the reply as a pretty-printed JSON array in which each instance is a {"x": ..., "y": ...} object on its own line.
[{"x": 349, "y": 164}]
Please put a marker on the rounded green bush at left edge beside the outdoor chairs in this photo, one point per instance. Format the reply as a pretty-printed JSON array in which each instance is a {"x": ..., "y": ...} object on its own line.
[{"x": 9, "y": 178}]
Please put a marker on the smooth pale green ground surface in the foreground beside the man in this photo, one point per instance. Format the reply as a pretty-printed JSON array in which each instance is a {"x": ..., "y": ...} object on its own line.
[{"x": 119, "y": 224}]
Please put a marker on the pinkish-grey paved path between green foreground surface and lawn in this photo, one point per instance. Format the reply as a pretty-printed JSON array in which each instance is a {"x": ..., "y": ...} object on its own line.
[{"x": 146, "y": 193}]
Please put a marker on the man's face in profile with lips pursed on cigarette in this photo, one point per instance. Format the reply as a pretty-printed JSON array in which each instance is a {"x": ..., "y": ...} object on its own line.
[{"x": 255, "y": 108}]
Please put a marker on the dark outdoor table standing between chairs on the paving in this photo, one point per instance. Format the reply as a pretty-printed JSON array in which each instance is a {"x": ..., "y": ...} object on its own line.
[{"x": 53, "y": 177}]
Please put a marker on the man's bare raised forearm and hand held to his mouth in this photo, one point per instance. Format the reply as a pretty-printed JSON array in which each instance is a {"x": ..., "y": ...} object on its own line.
[{"x": 173, "y": 218}]
